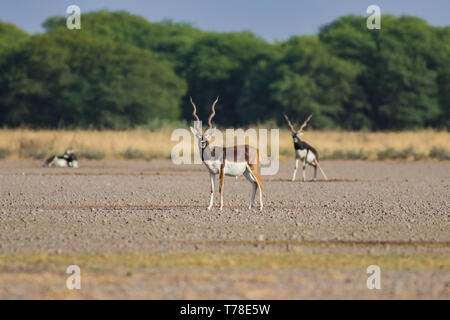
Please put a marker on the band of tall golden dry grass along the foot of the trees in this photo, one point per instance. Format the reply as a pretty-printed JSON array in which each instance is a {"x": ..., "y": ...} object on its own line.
[{"x": 146, "y": 144}]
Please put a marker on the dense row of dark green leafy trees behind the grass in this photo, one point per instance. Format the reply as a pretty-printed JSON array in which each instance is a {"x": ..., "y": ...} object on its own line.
[{"x": 121, "y": 70}]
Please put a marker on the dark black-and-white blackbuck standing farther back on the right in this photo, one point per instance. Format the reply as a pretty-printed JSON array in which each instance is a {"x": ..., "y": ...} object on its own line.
[{"x": 303, "y": 151}]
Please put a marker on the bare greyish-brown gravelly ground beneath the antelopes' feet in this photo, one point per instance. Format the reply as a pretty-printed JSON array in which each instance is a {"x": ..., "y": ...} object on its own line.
[{"x": 387, "y": 209}]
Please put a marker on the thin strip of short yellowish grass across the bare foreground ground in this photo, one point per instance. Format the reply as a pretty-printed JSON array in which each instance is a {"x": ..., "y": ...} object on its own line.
[{"x": 235, "y": 260}]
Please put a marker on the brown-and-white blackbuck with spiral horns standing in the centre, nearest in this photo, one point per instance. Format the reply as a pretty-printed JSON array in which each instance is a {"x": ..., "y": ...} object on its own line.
[{"x": 231, "y": 161}]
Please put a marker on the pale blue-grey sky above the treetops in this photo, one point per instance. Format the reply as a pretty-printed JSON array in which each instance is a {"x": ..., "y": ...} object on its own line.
[{"x": 271, "y": 19}]
